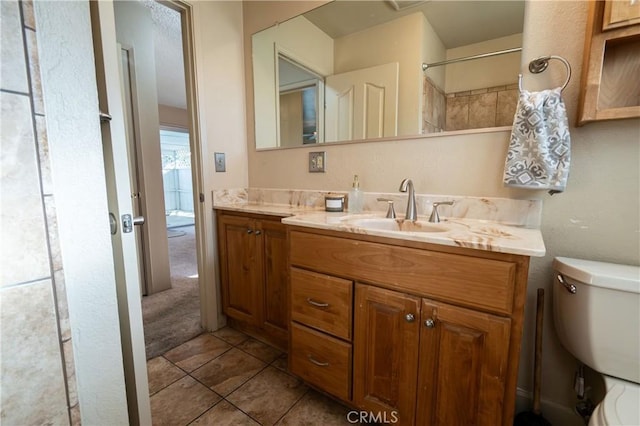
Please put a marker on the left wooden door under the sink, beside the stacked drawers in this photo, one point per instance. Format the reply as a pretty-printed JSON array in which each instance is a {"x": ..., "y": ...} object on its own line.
[{"x": 386, "y": 353}]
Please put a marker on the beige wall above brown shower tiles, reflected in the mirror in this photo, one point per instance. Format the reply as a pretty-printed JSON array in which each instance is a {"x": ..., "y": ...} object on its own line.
[{"x": 487, "y": 72}]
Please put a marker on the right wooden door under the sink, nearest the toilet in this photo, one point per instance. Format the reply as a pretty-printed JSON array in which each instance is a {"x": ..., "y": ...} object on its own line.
[{"x": 463, "y": 362}]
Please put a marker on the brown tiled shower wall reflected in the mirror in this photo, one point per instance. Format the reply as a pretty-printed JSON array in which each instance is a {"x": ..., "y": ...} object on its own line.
[{"x": 474, "y": 109}]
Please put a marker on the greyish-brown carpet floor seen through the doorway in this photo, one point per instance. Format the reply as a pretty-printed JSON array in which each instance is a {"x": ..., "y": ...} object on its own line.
[{"x": 172, "y": 317}]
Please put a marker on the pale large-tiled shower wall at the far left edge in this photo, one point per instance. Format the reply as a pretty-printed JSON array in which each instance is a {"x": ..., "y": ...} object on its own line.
[{"x": 38, "y": 379}]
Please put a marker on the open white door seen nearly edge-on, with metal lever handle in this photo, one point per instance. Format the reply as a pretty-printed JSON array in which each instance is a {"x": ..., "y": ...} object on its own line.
[{"x": 107, "y": 55}]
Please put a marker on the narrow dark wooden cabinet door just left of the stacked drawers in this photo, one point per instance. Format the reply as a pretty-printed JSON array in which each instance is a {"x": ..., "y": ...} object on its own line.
[{"x": 275, "y": 304}]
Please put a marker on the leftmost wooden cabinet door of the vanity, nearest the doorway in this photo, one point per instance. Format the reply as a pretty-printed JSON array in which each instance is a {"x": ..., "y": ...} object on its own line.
[{"x": 241, "y": 263}]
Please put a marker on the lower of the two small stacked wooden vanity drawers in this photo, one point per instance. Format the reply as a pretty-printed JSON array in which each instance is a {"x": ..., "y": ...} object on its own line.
[{"x": 321, "y": 360}]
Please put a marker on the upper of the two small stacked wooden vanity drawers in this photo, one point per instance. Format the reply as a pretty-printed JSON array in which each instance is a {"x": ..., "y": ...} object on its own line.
[{"x": 322, "y": 301}]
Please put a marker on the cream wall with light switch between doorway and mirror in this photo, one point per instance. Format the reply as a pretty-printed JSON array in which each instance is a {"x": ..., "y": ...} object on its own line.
[{"x": 219, "y": 62}]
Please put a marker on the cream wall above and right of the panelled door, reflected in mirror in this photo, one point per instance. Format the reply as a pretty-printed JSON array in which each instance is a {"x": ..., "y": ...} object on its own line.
[{"x": 397, "y": 41}]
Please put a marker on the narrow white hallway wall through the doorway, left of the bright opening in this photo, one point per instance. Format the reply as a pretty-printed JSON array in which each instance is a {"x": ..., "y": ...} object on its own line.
[{"x": 134, "y": 29}]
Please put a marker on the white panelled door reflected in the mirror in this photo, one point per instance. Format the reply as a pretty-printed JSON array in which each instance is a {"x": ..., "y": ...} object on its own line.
[{"x": 362, "y": 104}]
